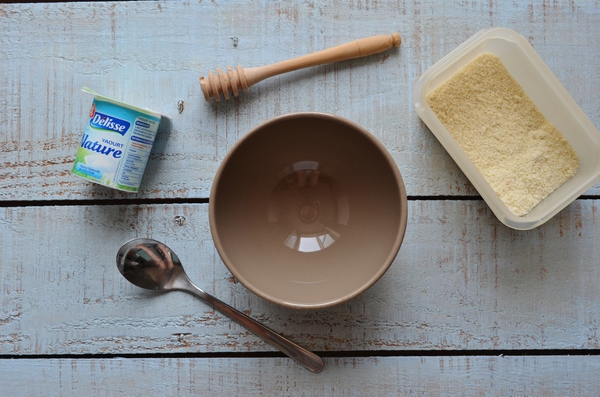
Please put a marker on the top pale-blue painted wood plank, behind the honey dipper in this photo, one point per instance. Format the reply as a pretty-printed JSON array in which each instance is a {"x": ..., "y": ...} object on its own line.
[{"x": 152, "y": 53}]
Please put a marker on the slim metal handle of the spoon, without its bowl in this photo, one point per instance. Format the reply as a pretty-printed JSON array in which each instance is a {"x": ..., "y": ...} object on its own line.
[{"x": 309, "y": 359}]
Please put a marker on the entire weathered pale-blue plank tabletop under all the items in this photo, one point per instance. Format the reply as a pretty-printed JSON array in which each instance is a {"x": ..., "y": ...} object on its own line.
[{"x": 469, "y": 306}]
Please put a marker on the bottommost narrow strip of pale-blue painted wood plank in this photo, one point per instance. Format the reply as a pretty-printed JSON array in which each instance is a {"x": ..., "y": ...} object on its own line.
[{"x": 374, "y": 376}]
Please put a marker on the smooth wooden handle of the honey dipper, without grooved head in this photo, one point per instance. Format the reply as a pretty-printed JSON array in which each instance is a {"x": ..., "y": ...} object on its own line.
[{"x": 355, "y": 49}]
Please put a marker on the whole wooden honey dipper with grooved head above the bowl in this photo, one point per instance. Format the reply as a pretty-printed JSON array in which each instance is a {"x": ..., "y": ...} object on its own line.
[{"x": 240, "y": 79}]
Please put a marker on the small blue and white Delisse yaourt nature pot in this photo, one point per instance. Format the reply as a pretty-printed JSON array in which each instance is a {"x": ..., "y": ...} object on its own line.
[{"x": 116, "y": 143}]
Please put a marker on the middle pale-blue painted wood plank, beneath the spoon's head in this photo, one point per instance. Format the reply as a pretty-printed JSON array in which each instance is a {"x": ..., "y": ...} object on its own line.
[{"x": 461, "y": 281}]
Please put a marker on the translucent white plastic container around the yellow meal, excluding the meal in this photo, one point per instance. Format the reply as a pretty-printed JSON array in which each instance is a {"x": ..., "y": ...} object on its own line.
[{"x": 551, "y": 98}]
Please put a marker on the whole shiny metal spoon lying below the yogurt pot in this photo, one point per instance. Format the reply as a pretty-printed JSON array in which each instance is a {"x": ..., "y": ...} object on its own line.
[{"x": 152, "y": 265}]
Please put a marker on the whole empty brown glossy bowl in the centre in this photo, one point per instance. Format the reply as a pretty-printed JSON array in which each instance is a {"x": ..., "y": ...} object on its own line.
[{"x": 308, "y": 210}]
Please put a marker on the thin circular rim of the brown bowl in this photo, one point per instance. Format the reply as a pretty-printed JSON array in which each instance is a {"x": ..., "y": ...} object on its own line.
[{"x": 400, "y": 233}]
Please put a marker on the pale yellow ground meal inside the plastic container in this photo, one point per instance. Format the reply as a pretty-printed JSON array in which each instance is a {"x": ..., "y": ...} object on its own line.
[{"x": 520, "y": 153}]
